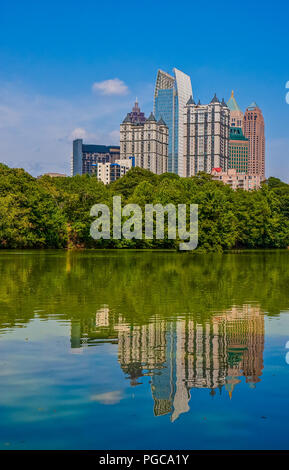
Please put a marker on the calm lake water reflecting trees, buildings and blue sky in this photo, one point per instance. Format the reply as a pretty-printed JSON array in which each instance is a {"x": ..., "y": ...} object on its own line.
[{"x": 145, "y": 350}]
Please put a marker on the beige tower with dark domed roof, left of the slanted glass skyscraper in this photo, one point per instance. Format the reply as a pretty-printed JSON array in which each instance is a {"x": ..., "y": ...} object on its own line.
[{"x": 146, "y": 140}]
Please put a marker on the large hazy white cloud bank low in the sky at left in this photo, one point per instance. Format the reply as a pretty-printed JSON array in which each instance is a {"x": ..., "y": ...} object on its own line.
[{"x": 36, "y": 131}]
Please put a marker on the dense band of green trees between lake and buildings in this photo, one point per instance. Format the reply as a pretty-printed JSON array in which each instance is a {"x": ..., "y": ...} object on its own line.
[{"x": 55, "y": 212}]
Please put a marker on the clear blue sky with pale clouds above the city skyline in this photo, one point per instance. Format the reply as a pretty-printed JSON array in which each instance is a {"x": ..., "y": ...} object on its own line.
[{"x": 55, "y": 55}]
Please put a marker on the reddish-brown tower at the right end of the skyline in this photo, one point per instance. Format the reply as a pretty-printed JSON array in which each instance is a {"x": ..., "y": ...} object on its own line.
[{"x": 254, "y": 130}]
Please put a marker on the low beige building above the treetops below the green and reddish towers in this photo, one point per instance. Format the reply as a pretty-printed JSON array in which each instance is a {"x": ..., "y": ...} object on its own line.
[{"x": 237, "y": 180}]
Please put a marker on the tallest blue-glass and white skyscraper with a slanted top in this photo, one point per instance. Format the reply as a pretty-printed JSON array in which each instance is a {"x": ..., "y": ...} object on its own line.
[{"x": 171, "y": 96}]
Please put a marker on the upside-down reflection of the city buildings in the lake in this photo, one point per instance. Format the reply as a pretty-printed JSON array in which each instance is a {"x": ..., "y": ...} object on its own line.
[{"x": 182, "y": 354}]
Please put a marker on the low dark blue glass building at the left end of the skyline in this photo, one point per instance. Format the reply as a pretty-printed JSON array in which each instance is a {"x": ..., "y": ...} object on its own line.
[{"x": 85, "y": 156}]
